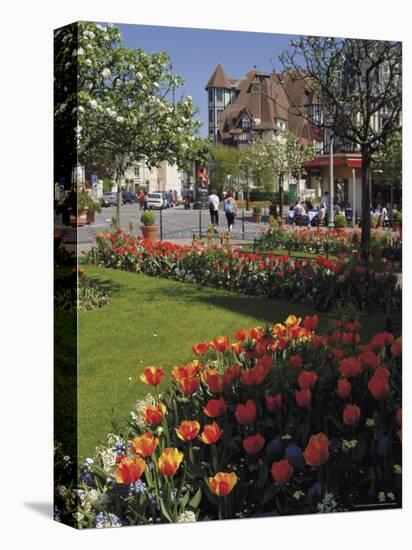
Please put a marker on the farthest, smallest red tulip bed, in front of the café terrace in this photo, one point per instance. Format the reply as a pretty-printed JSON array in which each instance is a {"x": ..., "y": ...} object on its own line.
[{"x": 319, "y": 241}]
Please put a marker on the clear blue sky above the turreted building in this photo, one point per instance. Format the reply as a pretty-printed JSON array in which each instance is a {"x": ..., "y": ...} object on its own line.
[{"x": 196, "y": 52}]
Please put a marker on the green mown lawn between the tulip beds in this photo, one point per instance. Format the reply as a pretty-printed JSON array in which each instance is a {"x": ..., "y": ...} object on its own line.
[{"x": 152, "y": 321}]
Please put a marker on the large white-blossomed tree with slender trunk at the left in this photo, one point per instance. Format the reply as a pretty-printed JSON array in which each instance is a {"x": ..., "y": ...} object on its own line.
[{"x": 115, "y": 106}]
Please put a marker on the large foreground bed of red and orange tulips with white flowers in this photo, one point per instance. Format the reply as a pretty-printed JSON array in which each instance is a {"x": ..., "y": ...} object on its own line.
[{"x": 280, "y": 420}]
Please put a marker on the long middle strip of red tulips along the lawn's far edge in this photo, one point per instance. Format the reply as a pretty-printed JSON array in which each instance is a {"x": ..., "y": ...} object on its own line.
[{"x": 320, "y": 282}]
